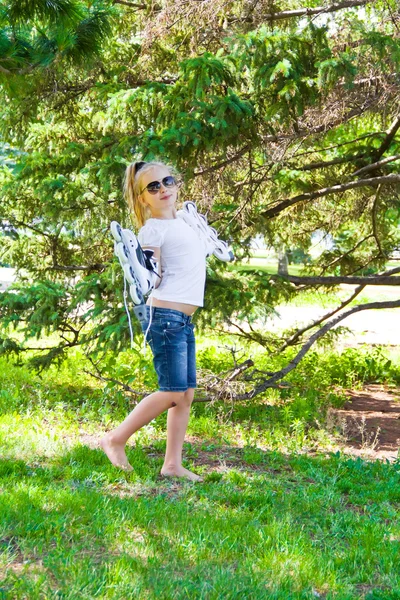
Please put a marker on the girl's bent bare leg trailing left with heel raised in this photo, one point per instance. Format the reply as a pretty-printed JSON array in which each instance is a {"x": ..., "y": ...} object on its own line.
[{"x": 113, "y": 443}]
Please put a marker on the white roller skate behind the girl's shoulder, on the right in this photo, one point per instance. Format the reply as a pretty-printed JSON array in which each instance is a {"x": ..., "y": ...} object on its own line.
[{"x": 208, "y": 234}]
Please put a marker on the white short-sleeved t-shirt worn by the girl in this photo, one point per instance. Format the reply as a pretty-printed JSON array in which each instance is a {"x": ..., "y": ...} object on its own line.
[{"x": 183, "y": 260}]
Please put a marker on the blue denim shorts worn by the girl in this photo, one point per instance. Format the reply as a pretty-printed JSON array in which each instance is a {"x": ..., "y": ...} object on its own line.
[{"x": 171, "y": 339}]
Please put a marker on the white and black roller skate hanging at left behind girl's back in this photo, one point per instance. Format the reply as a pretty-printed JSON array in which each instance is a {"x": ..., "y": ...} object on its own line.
[{"x": 138, "y": 268}]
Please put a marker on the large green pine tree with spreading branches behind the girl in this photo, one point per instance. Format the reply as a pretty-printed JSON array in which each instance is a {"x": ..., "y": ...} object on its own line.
[{"x": 280, "y": 124}]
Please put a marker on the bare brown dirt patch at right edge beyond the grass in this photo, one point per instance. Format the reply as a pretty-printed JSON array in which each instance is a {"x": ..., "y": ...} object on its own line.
[{"x": 370, "y": 422}]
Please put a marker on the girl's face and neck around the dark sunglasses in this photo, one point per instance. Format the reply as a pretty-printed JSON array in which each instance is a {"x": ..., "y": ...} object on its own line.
[{"x": 162, "y": 202}]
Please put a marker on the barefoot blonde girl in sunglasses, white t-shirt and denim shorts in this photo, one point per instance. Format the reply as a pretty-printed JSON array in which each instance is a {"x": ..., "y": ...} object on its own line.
[{"x": 151, "y": 192}]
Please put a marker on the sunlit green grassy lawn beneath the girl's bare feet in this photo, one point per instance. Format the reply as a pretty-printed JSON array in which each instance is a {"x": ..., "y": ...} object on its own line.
[{"x": 281, "y": 513}]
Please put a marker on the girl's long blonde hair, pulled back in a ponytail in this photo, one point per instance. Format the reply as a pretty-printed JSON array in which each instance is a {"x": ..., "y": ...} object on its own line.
[{"x": 132, "y": 188}]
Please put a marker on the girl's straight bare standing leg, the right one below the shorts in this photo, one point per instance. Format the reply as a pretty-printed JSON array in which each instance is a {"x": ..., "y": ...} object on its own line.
[{"x": 177, "y": 421}]
